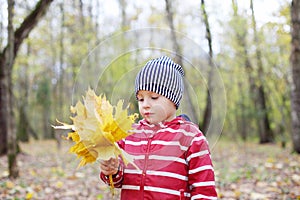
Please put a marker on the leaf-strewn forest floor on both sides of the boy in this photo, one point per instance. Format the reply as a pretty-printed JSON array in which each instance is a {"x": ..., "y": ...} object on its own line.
[{"x": 243, "y": 171}]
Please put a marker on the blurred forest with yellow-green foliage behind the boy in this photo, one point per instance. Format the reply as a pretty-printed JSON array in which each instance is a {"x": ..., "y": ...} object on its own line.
[{"x": 77, "y": 45}]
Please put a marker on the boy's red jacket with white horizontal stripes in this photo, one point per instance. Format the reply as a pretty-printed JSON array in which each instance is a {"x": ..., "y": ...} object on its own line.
[{"x": 174, "y": 163}]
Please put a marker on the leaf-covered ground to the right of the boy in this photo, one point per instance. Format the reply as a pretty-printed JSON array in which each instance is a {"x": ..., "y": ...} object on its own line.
[{"x": 252, "y": 171}]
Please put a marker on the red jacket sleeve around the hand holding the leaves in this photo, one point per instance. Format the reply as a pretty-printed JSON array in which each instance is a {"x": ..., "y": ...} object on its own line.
[{"x": 117, "y": 178}]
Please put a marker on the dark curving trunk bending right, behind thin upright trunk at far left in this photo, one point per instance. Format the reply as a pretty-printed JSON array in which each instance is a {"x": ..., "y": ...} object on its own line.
[{"x": 19, "y": 35}]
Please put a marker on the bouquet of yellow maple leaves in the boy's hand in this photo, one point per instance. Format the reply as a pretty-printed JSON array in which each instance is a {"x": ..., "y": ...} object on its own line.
[{"x": 97, "y": 126}]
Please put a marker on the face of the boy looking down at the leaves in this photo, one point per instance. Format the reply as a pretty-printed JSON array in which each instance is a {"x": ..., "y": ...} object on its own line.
[{"x": 155, "y": 108}]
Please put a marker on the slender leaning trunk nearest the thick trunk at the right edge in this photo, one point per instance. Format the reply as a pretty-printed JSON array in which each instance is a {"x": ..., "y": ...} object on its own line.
[{"x": 265, "y": 133}]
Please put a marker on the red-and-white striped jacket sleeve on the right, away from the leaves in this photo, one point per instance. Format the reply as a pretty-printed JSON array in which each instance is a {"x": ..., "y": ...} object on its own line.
[{"x": 201, "y": 172}]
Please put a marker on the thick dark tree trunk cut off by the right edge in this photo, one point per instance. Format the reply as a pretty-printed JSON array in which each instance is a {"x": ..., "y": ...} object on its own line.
[{"x": 295, "y": 63}]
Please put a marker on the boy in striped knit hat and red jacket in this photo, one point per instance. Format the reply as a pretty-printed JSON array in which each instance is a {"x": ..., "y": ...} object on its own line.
[{"x": 171, "y": 153}]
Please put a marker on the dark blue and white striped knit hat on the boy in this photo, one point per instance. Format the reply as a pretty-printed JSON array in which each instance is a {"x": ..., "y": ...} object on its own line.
[{"x": 162, "y": 76}]
